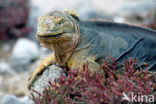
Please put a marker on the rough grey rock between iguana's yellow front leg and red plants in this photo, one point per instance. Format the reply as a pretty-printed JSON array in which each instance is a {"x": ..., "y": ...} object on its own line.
[{"x": 49, "y": 74}]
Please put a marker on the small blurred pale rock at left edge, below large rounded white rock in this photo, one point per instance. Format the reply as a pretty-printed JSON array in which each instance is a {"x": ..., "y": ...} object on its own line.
[{"x": 6, "y": 69}]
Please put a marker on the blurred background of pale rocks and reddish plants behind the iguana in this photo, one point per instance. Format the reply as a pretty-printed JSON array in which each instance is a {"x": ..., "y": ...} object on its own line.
[{"x": 19, "y": 50}]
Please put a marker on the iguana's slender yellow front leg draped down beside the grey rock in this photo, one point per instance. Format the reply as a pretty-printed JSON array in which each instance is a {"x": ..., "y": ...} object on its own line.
[{"x": 50, "y": 59}]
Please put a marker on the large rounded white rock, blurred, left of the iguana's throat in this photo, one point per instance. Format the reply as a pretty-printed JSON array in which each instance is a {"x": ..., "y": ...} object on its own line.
[{"x": 24, "y": 52}]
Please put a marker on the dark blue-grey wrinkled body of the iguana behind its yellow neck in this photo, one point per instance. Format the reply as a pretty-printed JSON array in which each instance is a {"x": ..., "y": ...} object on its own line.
[{"x": 121, "y": 41}]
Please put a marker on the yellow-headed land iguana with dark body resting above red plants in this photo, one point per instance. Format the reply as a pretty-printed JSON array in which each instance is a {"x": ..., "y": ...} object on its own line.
[{"x": 75, "y": 42}]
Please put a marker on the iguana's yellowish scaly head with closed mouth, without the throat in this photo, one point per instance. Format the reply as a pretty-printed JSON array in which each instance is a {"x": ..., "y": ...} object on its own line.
[{"x": 56, "y": 25}]
